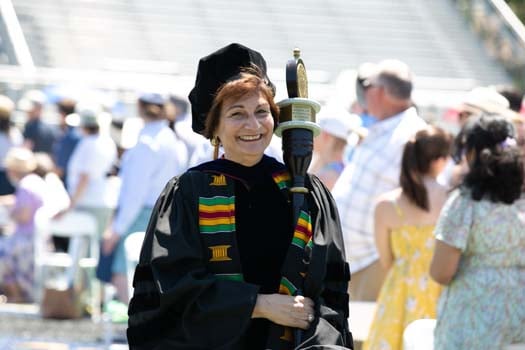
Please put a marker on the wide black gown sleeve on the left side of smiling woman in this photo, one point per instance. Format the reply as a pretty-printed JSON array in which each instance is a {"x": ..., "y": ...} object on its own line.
[{"x": 178, "y": 303}]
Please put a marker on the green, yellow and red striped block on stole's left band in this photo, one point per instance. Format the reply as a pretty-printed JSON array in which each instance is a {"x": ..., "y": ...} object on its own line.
[{"x": 217, "y": 214}]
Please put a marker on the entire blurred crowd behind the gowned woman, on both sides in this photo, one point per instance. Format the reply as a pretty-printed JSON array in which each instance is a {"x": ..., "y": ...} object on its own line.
[{"x": 428, "y": 215}]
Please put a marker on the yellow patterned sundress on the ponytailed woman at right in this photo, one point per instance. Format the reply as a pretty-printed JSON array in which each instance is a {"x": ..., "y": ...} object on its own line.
[{"x": 408, "y": 292}]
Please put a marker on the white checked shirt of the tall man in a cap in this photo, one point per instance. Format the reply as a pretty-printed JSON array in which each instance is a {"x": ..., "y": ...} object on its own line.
[{"x": 373, "y": 170}]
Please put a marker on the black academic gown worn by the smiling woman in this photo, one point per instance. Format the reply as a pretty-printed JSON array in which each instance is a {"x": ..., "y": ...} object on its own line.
[{"x": 190, "y": 294}]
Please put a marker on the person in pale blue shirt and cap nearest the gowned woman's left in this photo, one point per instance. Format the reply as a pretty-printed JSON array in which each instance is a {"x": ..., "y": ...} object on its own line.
[{"x": 145, "y": 170}]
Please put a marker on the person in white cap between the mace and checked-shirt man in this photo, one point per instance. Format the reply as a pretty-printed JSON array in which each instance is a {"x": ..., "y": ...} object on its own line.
[{"x": 337, "y": 126}]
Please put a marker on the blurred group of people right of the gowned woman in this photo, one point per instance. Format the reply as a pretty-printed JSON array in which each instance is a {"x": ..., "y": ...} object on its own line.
[{"x": 432, "y": 220}]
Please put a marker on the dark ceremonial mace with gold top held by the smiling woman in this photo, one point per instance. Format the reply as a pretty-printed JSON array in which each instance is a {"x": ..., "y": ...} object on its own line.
[{"x": 297, "y": 129}]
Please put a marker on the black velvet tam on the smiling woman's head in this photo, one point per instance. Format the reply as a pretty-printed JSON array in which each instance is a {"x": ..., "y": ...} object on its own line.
[{"x": 216, "y": 69}]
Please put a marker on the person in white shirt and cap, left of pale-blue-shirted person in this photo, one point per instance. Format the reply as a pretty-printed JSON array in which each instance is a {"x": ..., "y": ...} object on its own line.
[{"x": 88, "y": 168}]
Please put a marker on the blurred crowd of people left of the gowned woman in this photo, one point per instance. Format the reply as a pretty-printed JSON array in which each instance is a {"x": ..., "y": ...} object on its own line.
[{"x": 86, "y": 162}]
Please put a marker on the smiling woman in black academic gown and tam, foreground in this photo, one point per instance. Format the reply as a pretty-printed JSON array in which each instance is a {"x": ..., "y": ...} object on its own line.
[{"x": 223, "y": 263}]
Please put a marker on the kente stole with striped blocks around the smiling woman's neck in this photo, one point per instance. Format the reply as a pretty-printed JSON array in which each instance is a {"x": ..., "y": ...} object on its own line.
[{"x": 218, "y": 228}]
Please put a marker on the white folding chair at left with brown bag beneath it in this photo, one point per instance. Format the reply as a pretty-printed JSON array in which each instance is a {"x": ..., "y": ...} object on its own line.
[{"x": 82, "y": 254}]
